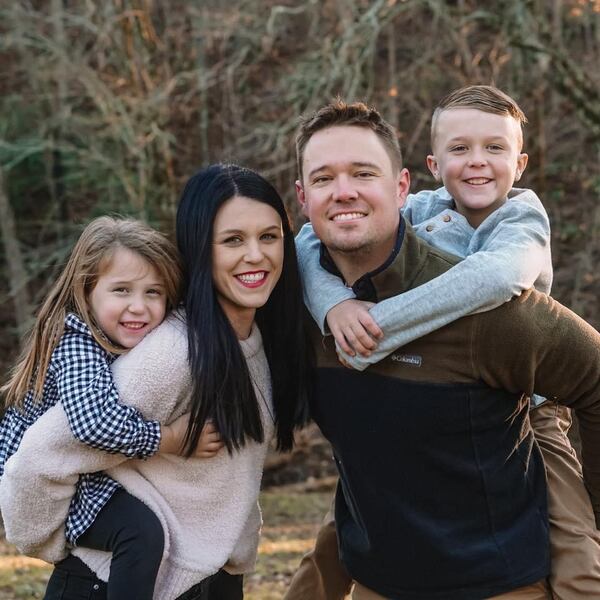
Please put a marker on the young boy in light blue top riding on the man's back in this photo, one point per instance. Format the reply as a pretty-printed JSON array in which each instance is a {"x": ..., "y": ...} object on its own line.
[{"x": 504, "y": 235}]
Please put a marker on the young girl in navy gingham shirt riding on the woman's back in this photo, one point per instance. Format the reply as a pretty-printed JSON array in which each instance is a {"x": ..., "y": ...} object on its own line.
[{"x": 119, "y": 281}]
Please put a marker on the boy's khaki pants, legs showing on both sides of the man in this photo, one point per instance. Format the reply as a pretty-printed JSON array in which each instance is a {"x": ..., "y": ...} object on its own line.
[{"x": 574, "y": 540}]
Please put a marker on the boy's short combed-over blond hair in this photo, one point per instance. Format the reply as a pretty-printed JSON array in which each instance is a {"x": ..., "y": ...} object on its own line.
[{"x": 486, "y": 98}]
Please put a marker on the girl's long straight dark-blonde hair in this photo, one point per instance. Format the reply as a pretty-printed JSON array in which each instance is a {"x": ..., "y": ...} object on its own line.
[{"x": 90, "y": 257}]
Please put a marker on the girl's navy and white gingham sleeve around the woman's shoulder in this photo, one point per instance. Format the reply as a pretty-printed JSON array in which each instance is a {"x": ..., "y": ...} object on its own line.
[{"x": 91, "y": 403}]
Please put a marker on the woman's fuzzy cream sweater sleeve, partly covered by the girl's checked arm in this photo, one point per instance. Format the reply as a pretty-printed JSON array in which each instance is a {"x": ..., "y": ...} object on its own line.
[{"x": 40, "y": 478}]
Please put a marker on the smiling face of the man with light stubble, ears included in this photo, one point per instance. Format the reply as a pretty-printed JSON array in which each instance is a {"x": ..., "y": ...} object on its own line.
[{"x": 351, "y": 192}]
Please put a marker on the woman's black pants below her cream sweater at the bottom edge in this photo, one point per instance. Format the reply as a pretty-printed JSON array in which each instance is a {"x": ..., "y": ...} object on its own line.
[{"x": 73, "y": 580}]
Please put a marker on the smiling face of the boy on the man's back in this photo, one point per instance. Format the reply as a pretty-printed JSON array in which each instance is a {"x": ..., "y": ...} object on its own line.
[{"x": 477, "y": 155}]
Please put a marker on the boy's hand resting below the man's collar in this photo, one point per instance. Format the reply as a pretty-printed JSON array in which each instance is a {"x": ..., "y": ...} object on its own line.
[{"x": 353, "y": 327}]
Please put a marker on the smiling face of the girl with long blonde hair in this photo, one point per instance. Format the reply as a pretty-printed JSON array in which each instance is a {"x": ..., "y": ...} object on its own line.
[{"x": 129, "y": 298}]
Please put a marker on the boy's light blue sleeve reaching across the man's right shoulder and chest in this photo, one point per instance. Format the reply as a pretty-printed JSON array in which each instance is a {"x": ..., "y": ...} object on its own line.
[{"x": 510, "y": 260}]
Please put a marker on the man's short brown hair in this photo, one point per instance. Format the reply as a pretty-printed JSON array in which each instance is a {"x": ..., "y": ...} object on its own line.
[{"x": 358, "y": 114}]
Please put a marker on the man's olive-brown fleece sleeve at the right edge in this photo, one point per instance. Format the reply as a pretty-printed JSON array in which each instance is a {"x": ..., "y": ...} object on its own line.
[{"x": 535, "y": 345}]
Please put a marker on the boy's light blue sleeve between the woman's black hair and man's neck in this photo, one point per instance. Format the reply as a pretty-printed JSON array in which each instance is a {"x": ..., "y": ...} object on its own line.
[{"x": 322, "y": 290}]
